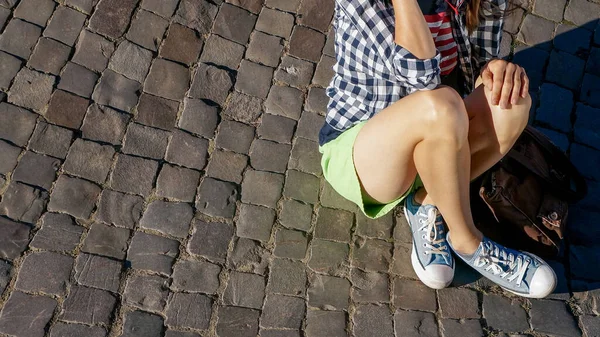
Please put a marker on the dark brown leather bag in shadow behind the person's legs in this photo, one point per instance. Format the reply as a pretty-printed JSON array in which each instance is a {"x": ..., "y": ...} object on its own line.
[{"x": 528, "y": 193}]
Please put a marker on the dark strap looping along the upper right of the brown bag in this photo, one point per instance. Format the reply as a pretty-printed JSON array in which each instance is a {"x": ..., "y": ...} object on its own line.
[{"x": 578, "y": 185}]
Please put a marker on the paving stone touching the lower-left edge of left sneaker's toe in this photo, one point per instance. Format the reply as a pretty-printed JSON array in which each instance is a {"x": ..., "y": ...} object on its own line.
[{"x": 413, "y": 295}]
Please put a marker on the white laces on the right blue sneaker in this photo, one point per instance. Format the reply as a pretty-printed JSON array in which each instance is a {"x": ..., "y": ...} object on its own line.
[{"x": 499, "y": 262}]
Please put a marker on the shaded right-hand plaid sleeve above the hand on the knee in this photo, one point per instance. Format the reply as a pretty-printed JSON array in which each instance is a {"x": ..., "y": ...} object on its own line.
[{"x": 486, "y": 38}]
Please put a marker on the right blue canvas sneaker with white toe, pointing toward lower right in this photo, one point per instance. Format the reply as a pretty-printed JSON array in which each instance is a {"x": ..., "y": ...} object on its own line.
[{"x": 518, "y": 272}]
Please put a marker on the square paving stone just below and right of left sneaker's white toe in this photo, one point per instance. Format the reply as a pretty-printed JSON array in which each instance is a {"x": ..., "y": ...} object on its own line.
[{"x": 459, "y": 303}]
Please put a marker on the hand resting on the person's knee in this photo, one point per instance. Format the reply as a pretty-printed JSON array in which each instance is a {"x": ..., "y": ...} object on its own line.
[{"x": 507, "y": 81}]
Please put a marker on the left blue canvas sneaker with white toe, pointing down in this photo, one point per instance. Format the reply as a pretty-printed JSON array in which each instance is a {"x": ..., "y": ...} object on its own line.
[{"x": 431, "y": 257}]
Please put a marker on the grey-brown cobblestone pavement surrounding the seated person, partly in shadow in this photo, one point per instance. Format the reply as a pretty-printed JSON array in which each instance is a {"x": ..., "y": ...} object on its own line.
[{"x": 159, "y": 176}]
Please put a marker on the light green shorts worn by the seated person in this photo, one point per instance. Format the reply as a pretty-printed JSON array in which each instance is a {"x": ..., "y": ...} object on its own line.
[{"x": 338, "y": 168}]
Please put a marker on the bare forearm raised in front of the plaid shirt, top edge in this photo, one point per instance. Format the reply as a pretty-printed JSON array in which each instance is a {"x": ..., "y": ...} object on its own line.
[{"x": 412, "y": 31}]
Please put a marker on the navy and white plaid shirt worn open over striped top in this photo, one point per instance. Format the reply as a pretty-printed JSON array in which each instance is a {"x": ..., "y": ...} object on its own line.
[{"x": 372, "y": 71}]
